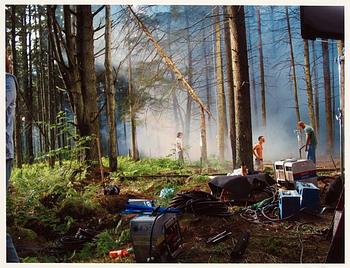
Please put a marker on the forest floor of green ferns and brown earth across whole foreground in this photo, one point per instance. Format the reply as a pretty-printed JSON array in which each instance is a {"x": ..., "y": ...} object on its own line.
[{"x": 45, "y": 205}]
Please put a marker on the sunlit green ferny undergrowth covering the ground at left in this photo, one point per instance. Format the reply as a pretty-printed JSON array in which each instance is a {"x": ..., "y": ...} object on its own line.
[{"x": 44, "y": 204}]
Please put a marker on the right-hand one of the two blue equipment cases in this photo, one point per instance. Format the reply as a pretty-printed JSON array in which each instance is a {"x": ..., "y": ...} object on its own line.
[{"x": 310, "y": 195}]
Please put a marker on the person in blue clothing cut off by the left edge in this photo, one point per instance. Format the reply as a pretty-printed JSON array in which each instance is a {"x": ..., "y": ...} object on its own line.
[{"x": 11, "y": 84}]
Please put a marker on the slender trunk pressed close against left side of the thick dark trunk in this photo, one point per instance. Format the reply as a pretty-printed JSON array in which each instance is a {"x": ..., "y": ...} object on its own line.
[{"x": 231, "y": 102}]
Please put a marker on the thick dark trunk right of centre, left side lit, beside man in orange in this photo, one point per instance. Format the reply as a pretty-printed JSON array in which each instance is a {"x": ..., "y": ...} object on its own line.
[{"x": 241, "y": 81}]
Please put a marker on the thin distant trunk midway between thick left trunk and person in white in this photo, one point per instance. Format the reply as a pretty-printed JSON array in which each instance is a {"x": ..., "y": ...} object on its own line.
[{"x": 134, "y": 150}]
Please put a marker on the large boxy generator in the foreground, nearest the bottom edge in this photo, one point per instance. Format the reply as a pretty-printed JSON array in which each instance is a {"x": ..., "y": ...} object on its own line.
[{"x": 156, "y": 238}]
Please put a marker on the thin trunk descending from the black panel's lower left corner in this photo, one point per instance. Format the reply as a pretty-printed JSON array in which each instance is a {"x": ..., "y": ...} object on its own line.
[{"x": 310, "y": 102}]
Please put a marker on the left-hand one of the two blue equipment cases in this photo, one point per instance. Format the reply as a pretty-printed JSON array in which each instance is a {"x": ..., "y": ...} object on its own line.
[{"x": 289, "y": 203}]
